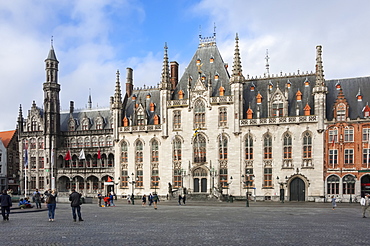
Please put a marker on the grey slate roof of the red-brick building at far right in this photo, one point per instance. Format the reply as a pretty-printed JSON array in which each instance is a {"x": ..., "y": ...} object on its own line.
[{"x": 350, "y": 87}]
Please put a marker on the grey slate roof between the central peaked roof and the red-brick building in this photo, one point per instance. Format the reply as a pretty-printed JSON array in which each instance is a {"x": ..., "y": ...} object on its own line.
[{"x": 261, "y": 86}]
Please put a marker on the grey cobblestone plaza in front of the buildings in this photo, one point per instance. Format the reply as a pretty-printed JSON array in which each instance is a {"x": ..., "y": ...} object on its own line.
[{"x": 197, "y": 223}]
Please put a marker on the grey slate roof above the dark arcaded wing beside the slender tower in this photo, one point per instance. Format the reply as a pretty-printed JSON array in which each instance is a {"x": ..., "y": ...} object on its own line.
[{"x": 79, "y": 115}]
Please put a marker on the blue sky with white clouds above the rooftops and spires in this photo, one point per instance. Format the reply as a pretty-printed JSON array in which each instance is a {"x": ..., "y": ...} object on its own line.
[{"x": 93, "y": 38}]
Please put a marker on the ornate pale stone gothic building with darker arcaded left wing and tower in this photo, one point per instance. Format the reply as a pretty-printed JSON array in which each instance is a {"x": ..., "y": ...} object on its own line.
[{"x": 207, "y": 132}]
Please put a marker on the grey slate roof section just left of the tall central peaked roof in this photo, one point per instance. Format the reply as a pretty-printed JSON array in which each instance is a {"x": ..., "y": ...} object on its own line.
[{"x": 141, "y": 98}]
